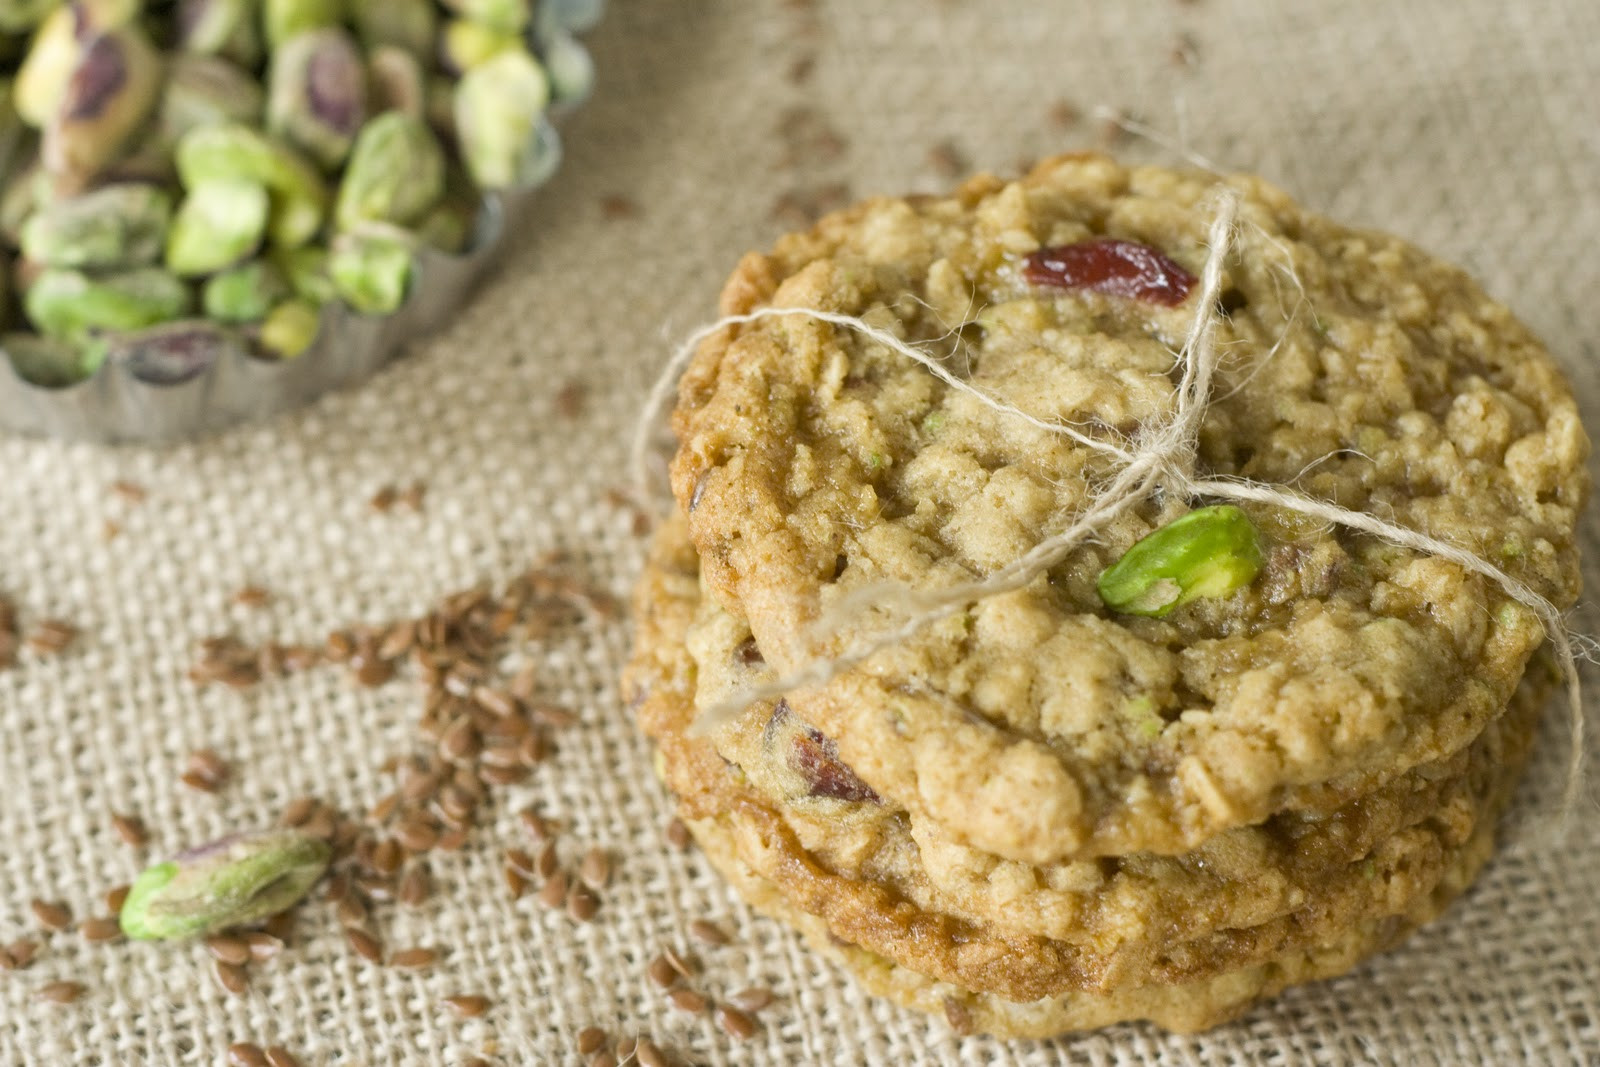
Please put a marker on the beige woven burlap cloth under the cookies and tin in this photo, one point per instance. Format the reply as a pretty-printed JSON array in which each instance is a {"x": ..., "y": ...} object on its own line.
[{"x": 1470, "y": 126}]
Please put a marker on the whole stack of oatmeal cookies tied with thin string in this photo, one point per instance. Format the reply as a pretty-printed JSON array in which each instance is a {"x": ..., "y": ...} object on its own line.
[{"x": 1209, "y": 754}]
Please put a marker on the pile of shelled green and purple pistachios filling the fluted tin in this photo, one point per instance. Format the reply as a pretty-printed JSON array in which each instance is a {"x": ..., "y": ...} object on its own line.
[{"x": 199, "y": 174}]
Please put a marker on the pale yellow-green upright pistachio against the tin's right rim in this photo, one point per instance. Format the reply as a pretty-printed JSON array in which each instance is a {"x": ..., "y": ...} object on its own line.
[{"x": 498, "y": 110}]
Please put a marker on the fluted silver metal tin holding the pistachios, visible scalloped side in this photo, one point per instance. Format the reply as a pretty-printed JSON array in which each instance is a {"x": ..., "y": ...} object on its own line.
[{"x": 138, "y": 401}]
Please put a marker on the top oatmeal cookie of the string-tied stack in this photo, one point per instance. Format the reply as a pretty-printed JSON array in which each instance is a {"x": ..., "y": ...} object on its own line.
[{"x": 1041, "y": 725}]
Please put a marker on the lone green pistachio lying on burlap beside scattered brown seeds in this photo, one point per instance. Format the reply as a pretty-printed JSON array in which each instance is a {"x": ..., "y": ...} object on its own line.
[{"x": 239, "y": 881}]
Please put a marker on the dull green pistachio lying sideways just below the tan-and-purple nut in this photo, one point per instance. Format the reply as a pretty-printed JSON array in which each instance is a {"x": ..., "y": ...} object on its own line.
[{"x": 116, "y": 226}]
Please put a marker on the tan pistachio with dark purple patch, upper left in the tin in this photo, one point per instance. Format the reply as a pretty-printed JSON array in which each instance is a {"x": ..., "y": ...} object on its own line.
[{"x": 114, "y": 89}]
